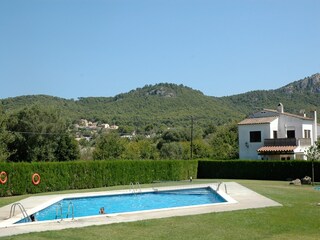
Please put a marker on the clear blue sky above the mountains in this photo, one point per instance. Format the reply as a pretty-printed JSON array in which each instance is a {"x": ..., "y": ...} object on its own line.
[{"x": 81, "y": 48}]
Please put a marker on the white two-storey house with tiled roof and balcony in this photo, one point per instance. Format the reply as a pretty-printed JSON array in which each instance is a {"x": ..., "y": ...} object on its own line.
[{"x": 277, "y": 135}]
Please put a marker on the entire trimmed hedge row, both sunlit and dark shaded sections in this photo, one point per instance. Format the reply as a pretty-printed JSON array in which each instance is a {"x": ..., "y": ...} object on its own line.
[{"x": 58, "y": 176}]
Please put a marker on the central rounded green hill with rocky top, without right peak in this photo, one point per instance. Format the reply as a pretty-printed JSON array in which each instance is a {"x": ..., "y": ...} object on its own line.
[{"x": 167, "y": 105}]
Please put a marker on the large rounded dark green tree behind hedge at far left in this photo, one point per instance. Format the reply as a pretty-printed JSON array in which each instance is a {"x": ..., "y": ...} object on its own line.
[{"x": 40, "y": 134}]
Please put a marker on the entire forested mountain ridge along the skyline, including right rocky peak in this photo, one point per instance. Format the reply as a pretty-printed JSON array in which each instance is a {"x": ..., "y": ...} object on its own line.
[{"x": 170, "y": 105}]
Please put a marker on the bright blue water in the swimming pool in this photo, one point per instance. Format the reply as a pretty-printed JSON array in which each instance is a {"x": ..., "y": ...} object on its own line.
[{"x": 89, "y": 206}]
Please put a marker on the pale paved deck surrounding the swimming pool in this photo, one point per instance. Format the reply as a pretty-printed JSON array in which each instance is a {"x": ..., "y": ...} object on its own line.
[{"x": 239, "y": 198}]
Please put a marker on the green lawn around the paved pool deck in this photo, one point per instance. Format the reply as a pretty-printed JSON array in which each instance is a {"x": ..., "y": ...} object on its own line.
[{"x": 298, "y": 218}]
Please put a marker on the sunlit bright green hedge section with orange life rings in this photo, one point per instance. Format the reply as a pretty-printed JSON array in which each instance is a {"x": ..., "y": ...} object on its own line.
[{"x": 57, "y": 176}]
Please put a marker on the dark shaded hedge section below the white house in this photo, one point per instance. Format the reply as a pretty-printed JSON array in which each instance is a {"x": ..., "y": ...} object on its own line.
[{"x": 259, "y": 170}]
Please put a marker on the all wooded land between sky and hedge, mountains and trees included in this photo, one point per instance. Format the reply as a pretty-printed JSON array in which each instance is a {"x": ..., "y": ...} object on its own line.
[{"x": 162, "y": 121}]
